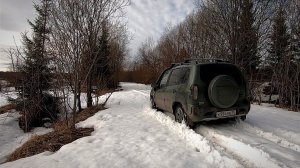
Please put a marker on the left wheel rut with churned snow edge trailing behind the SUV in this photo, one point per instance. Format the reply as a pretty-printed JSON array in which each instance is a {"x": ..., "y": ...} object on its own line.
[{"x": 232, "y": 151}]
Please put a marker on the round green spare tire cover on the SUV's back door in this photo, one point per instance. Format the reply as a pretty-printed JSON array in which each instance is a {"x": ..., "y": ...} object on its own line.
[{"x": 223, "y": 91}]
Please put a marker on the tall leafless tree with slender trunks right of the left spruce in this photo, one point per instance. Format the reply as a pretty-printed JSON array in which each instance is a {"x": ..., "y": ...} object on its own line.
[{"x": 76, "y": 27}]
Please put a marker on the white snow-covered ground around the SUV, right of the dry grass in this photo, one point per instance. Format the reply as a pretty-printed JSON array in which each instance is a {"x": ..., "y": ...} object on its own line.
[{"x": 131, "y": 134}]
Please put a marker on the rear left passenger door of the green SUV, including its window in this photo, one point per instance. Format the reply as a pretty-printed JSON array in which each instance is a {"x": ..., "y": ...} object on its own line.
[{"x": 176, "y": 80}]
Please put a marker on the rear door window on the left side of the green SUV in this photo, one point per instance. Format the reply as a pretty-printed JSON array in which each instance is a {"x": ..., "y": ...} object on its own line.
[{"x": 179, "y": 76}]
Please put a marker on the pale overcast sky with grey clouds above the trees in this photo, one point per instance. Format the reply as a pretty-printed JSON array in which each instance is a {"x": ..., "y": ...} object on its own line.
[{"x": 146, "y": 19}]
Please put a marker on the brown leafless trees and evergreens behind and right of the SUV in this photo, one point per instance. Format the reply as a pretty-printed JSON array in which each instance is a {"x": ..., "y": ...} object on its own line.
[{"x": 260, "y": 36}]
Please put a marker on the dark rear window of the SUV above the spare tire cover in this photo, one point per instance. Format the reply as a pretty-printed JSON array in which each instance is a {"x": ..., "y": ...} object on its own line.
[{"x": 209, "y": 71}]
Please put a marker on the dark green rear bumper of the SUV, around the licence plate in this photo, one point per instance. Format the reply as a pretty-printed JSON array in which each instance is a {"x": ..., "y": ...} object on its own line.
[{"x": 199, "y": 113}]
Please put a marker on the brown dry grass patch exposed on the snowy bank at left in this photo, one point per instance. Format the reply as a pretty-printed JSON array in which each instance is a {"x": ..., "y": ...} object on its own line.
[{"x": 63, "y": 134}]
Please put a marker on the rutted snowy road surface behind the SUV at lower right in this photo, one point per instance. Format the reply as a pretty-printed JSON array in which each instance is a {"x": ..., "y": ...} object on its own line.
[{"x": 261, "y": 139}]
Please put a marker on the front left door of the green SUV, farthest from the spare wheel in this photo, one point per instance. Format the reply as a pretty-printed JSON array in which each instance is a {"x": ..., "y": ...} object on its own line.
[{"x": 159, "y": 95}]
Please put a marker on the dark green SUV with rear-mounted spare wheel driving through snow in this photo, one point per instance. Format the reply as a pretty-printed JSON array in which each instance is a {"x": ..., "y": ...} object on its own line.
[{"x": 201, "y": 90}]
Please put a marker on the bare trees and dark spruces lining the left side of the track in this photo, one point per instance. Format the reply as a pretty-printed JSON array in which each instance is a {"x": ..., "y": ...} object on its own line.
[{"x": 76, "y": 46}]
